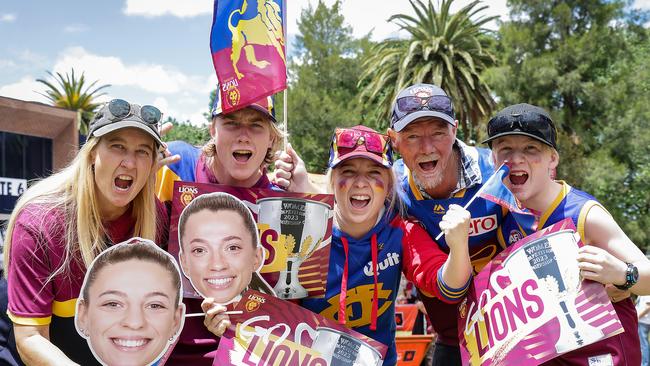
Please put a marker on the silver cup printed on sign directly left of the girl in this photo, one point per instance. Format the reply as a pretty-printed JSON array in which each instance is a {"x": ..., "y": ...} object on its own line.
[{"x": 303, "y": 224}]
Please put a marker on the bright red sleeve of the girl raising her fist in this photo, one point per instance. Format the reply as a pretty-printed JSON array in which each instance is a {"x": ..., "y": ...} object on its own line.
[{"x": 422, "y": 259}]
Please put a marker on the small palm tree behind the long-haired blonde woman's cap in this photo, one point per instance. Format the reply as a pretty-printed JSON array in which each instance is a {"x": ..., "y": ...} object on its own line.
[{"x": 73, "y": 96}]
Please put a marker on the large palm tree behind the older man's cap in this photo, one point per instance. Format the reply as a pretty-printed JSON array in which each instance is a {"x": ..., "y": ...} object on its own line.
[{"x": 445, "y": 49}]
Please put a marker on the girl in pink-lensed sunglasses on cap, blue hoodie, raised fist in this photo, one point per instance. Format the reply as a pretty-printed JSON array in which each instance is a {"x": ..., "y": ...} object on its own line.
[{"x": 372, "y": 244}]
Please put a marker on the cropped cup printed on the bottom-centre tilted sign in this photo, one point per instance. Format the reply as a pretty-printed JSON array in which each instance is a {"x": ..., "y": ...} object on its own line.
[{"x": 341, "y": 349}]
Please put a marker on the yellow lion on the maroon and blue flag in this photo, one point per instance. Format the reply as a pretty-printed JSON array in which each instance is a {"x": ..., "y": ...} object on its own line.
[{"x": 264, "y": 29}]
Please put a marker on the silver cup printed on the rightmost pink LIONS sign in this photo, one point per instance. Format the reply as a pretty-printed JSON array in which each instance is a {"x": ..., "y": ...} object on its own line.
[{"x": 552, "y": 260}]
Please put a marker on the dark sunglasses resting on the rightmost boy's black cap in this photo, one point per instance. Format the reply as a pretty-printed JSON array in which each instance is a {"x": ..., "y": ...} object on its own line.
[{"x": 532, "y": 124}]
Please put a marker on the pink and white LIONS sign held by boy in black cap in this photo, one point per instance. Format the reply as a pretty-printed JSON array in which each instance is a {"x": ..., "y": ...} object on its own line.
[{"x": 529, "y": 304}]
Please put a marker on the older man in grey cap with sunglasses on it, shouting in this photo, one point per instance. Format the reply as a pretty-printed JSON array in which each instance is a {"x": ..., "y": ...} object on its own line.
[{"x": 436, "y": 171}]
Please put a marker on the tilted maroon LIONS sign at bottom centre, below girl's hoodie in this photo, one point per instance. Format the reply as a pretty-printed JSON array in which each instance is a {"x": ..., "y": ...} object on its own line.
[{"x": 271, "y": 331}]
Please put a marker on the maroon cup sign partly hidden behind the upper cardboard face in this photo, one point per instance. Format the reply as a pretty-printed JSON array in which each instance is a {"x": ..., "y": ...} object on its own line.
[{"x": 295, "y": 232}]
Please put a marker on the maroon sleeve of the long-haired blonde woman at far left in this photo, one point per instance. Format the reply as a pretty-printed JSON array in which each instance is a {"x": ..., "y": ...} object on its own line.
[{"x": 30, "y": 293}]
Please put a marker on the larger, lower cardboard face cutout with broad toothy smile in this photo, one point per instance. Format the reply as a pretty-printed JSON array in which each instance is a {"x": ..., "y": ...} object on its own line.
[{"x": 130, "y": 309}]
